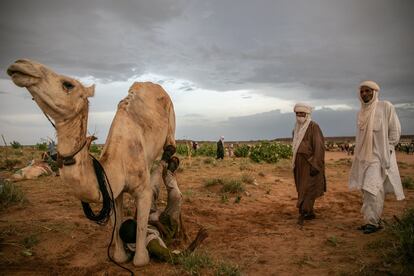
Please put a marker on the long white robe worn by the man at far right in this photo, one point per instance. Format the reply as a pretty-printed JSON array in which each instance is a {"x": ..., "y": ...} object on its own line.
[{"x": 386, "y": 134}]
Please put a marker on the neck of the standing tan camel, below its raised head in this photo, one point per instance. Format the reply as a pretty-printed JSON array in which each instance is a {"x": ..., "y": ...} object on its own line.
[{"x": 81, "y": 176}]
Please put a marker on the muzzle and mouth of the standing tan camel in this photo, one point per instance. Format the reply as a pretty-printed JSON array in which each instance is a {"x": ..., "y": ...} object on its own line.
[{"x": 23, "y": 73}]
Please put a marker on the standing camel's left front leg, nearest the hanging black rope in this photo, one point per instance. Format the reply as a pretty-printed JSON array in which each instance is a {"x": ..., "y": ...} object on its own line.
[{"x": 120, "y": 255}]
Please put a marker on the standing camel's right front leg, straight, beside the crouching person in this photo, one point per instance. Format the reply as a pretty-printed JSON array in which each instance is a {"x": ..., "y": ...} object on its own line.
[{"x": 143, "y": 204}]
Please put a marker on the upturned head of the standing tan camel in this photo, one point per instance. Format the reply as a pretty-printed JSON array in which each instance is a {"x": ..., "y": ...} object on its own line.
[{"x": 59, "y": 96}]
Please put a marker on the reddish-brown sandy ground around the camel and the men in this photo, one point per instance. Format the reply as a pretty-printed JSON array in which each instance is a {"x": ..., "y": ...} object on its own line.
[{"x": 259, "y": 234}]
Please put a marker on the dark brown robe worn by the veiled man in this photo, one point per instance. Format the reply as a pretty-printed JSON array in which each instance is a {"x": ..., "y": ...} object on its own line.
[{"x": 310, "y": 154}]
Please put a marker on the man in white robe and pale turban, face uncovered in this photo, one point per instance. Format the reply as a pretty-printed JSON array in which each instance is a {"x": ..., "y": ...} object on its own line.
[{"x": 374, "y": 168}]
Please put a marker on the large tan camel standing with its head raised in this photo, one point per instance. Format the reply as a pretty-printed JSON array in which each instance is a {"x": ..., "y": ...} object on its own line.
[{"x": 143, "y": 126}]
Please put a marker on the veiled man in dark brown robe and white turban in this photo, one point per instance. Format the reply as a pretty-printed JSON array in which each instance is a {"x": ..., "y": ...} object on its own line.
[{"x": 308, "y": 161}]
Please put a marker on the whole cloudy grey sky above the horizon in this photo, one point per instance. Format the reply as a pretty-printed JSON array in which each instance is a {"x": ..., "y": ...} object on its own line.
[{"x": 232, "y": 67}]
